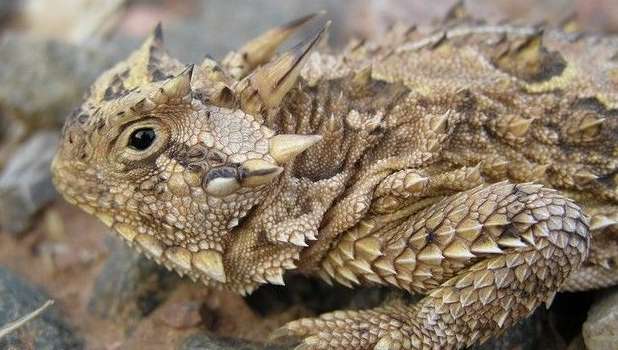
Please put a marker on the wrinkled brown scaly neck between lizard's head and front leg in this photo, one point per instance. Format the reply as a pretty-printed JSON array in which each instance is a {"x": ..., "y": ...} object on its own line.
[{"x": 290, "y": 220}]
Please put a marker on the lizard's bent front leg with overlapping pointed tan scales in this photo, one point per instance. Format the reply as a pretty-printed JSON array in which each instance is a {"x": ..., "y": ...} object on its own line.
[{"x": 486, "y": 258}]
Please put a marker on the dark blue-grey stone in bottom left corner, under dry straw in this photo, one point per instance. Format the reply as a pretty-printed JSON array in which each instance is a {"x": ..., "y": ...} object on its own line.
[{"x": 48, "y": 331}]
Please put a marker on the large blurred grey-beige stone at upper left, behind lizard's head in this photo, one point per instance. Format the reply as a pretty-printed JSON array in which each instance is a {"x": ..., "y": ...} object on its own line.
[{"x": 67, "y": 70}]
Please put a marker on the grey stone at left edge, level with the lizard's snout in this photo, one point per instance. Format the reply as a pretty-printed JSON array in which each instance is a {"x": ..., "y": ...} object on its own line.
[{"x": 25, "y": 182}]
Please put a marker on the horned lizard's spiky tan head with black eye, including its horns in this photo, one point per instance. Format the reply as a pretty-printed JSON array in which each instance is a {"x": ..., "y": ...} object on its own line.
[{"x": 173, "y": 157}]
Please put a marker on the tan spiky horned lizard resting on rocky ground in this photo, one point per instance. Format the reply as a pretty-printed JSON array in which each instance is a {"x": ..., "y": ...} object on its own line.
[{"x": 474, "y": 164}]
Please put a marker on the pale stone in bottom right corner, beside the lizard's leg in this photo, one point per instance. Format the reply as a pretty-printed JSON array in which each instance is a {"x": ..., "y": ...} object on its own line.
[{"x": 600, "y": 331}]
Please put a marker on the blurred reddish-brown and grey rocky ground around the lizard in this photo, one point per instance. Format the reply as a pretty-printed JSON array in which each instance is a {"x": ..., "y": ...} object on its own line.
[{"x": 107, "y": 297}]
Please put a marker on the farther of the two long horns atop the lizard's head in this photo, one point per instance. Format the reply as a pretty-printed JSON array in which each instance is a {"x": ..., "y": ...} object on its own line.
[{"x": 262, "y": 48}]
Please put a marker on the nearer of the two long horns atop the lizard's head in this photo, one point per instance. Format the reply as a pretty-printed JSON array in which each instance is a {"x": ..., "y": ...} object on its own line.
[{"x": 267, "y": 85}]
